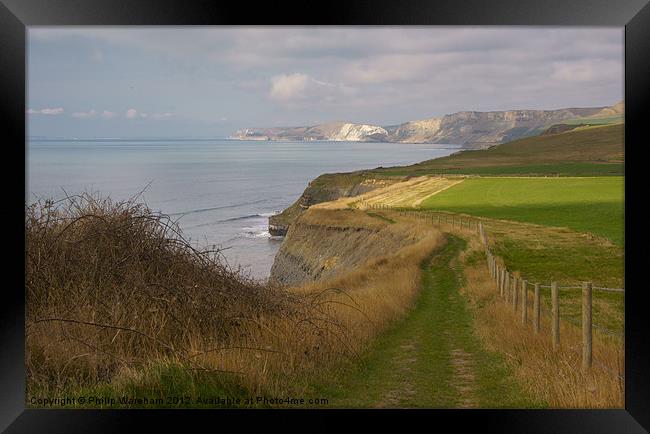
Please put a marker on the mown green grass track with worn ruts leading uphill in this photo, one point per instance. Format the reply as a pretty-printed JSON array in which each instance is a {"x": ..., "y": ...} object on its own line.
[{"x": 432, "y": 358}]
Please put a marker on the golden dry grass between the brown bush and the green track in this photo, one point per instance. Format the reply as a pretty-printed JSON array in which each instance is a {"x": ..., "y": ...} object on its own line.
[{"x": 352, "y": 309}]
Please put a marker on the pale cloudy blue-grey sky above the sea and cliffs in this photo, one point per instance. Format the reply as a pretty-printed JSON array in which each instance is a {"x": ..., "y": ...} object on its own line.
[{"x": 210, "y": 81}]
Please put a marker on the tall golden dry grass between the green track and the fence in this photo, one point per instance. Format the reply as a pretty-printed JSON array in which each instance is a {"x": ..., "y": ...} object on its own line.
[{"x": 555, "y": 376}]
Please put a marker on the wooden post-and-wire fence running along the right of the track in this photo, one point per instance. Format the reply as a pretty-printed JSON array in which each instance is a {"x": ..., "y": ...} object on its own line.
[{"x": 509, "y": 286}]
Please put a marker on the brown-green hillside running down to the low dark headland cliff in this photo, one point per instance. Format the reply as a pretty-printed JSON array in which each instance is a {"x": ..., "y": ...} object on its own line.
[{"x": 584, "y": 151}]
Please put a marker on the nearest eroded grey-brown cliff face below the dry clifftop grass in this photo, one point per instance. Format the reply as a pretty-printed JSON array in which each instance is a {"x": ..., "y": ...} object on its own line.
[{"x": 323, "y": 243}]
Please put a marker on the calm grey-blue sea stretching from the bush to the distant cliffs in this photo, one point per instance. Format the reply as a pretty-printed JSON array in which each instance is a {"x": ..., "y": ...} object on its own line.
[{"x": 223, "y": 191}]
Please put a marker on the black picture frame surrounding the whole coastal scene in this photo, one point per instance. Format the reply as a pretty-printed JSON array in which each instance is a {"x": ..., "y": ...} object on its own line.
[{"x": 15, "y": 15}]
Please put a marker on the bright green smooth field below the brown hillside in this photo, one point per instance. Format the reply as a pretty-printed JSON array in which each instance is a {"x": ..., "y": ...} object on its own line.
[{"x": 594, "y": 205}]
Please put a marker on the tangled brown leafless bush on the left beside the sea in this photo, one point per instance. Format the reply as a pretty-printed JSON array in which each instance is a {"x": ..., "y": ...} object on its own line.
[{"x": 112, "y": 284}]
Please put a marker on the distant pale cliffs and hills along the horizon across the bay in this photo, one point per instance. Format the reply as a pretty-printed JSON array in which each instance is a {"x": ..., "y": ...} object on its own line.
[{"x": 471, "y": 129}]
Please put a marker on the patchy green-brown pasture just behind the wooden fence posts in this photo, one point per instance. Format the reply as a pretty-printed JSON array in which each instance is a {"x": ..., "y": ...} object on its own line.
[{"x": 546, "y": 254}]
